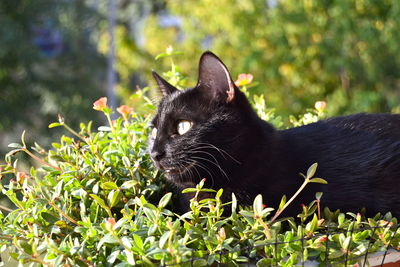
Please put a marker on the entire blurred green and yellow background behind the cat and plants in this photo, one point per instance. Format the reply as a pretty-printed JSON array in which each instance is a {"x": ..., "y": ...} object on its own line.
[{"x": 57, "y": 56}]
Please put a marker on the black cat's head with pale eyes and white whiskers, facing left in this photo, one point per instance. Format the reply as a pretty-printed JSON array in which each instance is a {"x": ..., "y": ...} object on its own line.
[{"x": 197, "y": 132}]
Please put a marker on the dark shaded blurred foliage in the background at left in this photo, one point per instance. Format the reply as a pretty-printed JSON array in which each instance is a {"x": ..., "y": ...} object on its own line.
[{"x": 49, "y": 65}]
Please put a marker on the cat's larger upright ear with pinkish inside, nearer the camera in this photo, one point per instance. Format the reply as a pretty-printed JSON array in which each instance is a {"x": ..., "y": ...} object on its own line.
[{"x": 215, "y": 78}]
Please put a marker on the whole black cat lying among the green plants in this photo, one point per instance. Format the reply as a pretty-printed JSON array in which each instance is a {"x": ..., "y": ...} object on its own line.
[{"x": 210, "y": 131}]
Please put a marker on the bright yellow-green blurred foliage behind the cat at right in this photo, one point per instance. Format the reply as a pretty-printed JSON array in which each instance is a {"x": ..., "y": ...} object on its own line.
[{"x": 344, "y": 52}]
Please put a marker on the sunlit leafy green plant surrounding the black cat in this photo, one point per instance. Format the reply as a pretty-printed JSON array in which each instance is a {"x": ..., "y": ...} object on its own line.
[{"x": 95, "y": 199}]
